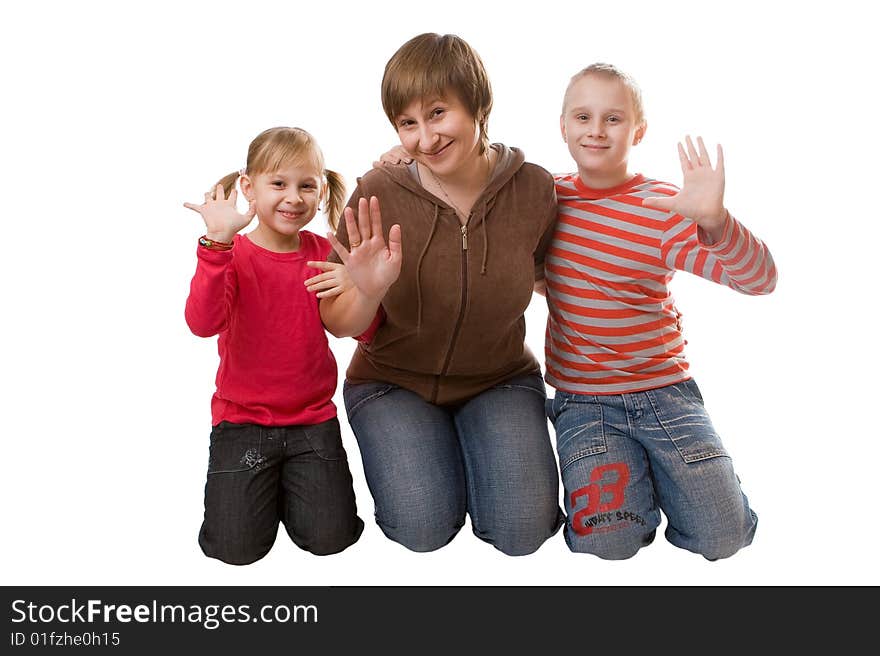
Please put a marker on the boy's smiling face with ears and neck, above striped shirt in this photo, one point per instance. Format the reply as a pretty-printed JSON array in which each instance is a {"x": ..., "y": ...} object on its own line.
[{"x": 600, "y": 125}]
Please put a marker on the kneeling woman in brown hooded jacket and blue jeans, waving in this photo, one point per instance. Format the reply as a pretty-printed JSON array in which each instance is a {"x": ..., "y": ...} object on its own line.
[{"x": 444, "y": 398}]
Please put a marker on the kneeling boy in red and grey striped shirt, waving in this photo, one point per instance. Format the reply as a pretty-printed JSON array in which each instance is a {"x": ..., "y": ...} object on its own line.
[{"x": 633, "y": 436}]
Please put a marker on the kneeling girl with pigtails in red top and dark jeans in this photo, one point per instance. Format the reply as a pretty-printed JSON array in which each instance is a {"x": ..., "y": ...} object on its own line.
[{"x": 276, "y": 451}]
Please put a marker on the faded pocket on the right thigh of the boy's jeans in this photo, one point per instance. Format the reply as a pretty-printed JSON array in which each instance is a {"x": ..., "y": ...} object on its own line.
[{"x": 681, "y": 413}]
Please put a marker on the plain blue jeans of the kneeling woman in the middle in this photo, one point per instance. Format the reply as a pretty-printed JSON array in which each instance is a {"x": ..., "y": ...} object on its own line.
[{"x": 427, "y": 465}]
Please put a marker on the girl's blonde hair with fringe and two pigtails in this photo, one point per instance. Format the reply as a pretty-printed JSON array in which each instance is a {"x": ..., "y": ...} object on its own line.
[{"x": 276, "y": 148}]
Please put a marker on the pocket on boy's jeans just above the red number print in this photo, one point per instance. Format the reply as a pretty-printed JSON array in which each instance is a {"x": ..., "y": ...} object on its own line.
[{"x": 580, "y": 428}]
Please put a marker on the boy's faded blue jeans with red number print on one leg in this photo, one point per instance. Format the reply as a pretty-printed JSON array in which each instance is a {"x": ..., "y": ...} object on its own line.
[{"x": 625, "y": 457}]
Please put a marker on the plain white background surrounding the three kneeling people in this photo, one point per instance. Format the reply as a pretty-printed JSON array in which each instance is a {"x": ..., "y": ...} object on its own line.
[{"x": 113, "y": 116}]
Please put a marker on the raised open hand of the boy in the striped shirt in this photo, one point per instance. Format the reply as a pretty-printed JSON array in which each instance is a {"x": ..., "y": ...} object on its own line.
[{"x": 701, "y": 197}]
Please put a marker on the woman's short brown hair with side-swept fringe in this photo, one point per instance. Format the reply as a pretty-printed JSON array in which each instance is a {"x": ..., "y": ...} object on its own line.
[{"x": 434, "y": 64}]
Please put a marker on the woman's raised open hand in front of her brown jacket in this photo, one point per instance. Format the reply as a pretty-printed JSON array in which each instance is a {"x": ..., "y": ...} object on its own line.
[{"x": 372, "y": 265}]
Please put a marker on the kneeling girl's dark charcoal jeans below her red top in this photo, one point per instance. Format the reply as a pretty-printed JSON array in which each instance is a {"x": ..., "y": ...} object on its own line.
[{"x": 260, "y": 475}]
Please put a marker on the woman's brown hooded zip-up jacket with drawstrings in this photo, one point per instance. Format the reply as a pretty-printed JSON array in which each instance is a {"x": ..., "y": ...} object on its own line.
[{"x": 454, "y": 323}]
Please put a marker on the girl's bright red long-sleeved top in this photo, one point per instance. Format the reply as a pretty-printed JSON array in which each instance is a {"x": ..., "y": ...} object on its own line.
[{"x": 276, "y": 367}]
